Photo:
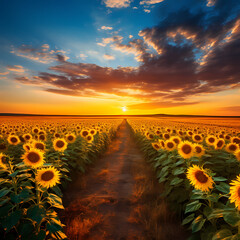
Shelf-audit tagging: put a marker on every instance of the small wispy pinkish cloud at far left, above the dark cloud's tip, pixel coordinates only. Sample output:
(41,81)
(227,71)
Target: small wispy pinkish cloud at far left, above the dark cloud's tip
(42,54)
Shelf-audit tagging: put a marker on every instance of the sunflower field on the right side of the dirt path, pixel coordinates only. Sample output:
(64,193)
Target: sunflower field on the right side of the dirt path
(199,167)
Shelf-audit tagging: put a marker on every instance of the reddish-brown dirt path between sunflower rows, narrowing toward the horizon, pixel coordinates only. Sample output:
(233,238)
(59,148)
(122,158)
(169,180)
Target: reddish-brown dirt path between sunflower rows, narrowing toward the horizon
(106,202)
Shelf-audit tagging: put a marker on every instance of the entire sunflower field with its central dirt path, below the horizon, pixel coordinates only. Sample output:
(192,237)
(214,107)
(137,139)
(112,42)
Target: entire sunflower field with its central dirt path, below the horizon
(114,178)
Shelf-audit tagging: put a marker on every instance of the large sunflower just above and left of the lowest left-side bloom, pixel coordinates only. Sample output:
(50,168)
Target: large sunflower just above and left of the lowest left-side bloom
(33,158)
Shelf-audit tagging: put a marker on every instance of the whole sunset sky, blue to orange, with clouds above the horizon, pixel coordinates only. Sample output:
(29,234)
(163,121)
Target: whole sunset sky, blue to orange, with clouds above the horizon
(120,56)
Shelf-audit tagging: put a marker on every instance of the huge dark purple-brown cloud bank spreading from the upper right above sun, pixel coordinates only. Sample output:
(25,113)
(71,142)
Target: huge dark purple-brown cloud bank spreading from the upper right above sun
(190,52)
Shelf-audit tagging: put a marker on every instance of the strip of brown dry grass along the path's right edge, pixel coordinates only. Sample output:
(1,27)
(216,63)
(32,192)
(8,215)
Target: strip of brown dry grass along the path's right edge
(151,209)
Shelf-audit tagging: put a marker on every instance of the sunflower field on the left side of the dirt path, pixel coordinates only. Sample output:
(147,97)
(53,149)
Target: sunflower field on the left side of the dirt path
(37,159)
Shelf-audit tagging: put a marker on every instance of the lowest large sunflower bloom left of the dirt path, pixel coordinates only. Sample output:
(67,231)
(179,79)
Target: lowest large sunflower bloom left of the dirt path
(48,177)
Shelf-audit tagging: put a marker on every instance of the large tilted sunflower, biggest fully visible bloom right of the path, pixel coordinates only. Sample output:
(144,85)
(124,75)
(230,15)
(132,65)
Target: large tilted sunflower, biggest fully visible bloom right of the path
(199,178)
